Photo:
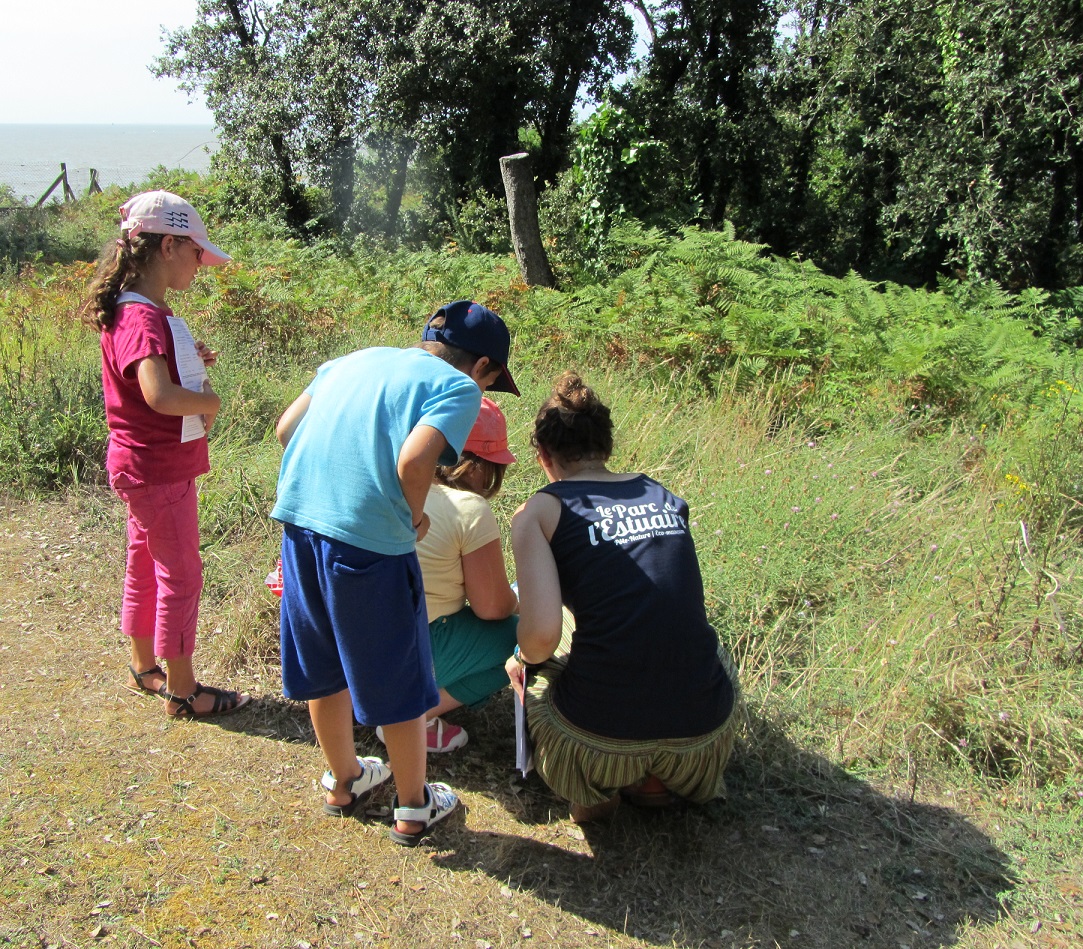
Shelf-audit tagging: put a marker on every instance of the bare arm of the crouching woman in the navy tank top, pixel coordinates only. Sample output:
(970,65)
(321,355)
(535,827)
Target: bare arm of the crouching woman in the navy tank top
(540,603)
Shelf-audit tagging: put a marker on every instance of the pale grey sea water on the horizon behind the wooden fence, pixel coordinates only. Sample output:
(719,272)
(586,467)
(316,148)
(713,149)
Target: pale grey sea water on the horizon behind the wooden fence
(31,157)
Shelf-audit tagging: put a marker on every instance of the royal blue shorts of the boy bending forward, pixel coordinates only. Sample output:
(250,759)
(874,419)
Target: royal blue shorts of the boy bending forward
(355,620)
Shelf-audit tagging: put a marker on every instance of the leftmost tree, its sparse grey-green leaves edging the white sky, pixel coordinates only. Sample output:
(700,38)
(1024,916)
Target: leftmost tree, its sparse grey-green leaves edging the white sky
(277,79)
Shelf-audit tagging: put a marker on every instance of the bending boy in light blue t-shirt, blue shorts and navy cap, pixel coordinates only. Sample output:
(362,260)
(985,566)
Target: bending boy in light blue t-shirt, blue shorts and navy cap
(362,444)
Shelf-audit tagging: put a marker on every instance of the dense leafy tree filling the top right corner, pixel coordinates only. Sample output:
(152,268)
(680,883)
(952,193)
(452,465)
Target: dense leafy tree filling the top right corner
(1006,161)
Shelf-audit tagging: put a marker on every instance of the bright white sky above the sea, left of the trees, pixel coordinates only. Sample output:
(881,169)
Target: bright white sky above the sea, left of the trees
(87,62)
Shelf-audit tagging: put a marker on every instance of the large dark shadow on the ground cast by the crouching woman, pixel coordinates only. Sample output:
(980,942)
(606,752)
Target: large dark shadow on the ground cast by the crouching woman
(802,854)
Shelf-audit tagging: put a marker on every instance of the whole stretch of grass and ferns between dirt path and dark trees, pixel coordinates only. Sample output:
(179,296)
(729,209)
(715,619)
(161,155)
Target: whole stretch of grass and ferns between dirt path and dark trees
(892,550)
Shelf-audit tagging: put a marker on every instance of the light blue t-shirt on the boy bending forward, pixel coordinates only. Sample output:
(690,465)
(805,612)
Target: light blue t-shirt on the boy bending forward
(340,473)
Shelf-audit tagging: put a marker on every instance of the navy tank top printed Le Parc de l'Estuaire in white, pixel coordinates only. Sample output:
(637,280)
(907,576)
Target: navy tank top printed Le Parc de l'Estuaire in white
(644,662)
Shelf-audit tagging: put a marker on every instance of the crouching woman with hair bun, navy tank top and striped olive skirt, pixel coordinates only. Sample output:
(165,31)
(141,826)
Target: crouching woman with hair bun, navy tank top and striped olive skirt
(642,705)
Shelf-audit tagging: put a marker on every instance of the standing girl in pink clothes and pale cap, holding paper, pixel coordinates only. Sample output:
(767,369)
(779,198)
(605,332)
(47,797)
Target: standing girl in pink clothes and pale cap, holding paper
(160,407)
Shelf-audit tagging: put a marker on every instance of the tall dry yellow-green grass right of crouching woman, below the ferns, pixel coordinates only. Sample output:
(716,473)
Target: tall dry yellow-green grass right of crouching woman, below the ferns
(884,591)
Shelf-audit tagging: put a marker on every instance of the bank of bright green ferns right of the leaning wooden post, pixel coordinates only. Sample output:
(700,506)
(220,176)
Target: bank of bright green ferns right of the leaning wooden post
(710,303)
